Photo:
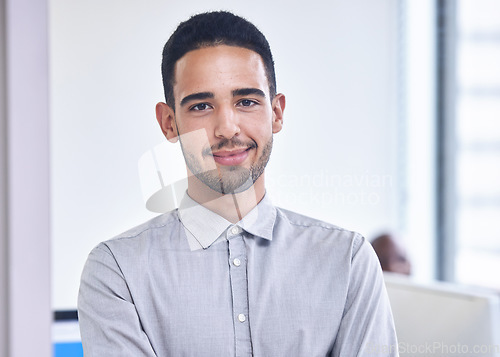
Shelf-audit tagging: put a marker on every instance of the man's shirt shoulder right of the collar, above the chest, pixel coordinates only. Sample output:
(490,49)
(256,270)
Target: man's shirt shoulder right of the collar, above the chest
(299,225)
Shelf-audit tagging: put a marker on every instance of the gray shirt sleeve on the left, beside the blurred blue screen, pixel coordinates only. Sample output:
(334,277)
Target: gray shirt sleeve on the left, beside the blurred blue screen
(109,323)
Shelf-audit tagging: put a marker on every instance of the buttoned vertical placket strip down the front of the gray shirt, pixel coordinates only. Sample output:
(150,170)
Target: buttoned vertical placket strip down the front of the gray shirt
(239,289)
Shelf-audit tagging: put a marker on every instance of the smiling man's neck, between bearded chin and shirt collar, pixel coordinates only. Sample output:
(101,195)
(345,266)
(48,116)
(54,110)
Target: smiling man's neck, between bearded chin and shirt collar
(231,206)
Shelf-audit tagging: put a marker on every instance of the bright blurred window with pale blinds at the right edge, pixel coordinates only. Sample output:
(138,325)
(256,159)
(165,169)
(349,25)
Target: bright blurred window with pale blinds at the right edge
(472,168)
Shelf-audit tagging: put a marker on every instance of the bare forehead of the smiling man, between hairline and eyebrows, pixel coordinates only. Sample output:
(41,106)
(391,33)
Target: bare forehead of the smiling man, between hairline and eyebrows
(219,67)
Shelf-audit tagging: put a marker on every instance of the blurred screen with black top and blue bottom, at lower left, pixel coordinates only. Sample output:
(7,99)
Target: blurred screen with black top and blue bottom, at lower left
(66,335)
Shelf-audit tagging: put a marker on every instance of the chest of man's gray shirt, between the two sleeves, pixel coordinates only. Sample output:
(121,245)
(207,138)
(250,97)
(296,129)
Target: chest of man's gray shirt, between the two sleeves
(240,299)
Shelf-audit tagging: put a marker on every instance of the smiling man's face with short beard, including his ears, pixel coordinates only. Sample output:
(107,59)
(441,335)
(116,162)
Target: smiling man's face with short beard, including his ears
(223,92)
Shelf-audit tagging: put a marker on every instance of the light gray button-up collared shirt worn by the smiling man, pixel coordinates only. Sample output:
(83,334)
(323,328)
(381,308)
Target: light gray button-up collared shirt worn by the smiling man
(190,283)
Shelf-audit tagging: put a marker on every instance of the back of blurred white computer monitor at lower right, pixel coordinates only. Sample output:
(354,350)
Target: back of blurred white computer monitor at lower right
(441,319)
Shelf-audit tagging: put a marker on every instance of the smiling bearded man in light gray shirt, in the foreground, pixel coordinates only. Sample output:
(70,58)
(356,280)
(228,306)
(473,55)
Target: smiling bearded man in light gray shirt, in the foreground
(228,273)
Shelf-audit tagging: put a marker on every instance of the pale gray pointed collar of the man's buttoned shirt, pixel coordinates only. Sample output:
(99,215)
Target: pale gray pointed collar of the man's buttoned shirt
(204,227)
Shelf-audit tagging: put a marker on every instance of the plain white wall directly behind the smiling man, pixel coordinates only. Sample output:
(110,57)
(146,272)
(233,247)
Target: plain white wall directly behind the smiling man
(335,61)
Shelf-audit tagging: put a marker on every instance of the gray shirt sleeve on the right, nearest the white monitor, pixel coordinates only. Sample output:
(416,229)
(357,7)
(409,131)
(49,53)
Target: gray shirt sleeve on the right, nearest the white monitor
(367,326)
